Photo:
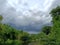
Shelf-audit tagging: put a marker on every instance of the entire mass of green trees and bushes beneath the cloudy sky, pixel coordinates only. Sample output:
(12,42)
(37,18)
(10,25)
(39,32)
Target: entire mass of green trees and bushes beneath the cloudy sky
(50,35)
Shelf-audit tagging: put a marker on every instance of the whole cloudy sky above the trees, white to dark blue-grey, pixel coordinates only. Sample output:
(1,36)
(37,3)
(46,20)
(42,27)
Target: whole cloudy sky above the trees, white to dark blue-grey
(29,15)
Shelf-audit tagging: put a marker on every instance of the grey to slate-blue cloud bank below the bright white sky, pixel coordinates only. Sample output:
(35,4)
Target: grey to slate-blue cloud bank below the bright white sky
(31,21)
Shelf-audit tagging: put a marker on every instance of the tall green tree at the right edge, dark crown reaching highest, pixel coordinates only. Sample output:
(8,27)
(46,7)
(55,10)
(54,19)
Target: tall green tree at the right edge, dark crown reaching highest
(55,33)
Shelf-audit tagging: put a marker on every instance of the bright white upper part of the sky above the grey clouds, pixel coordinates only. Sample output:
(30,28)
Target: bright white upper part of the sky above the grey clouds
(24,5)
